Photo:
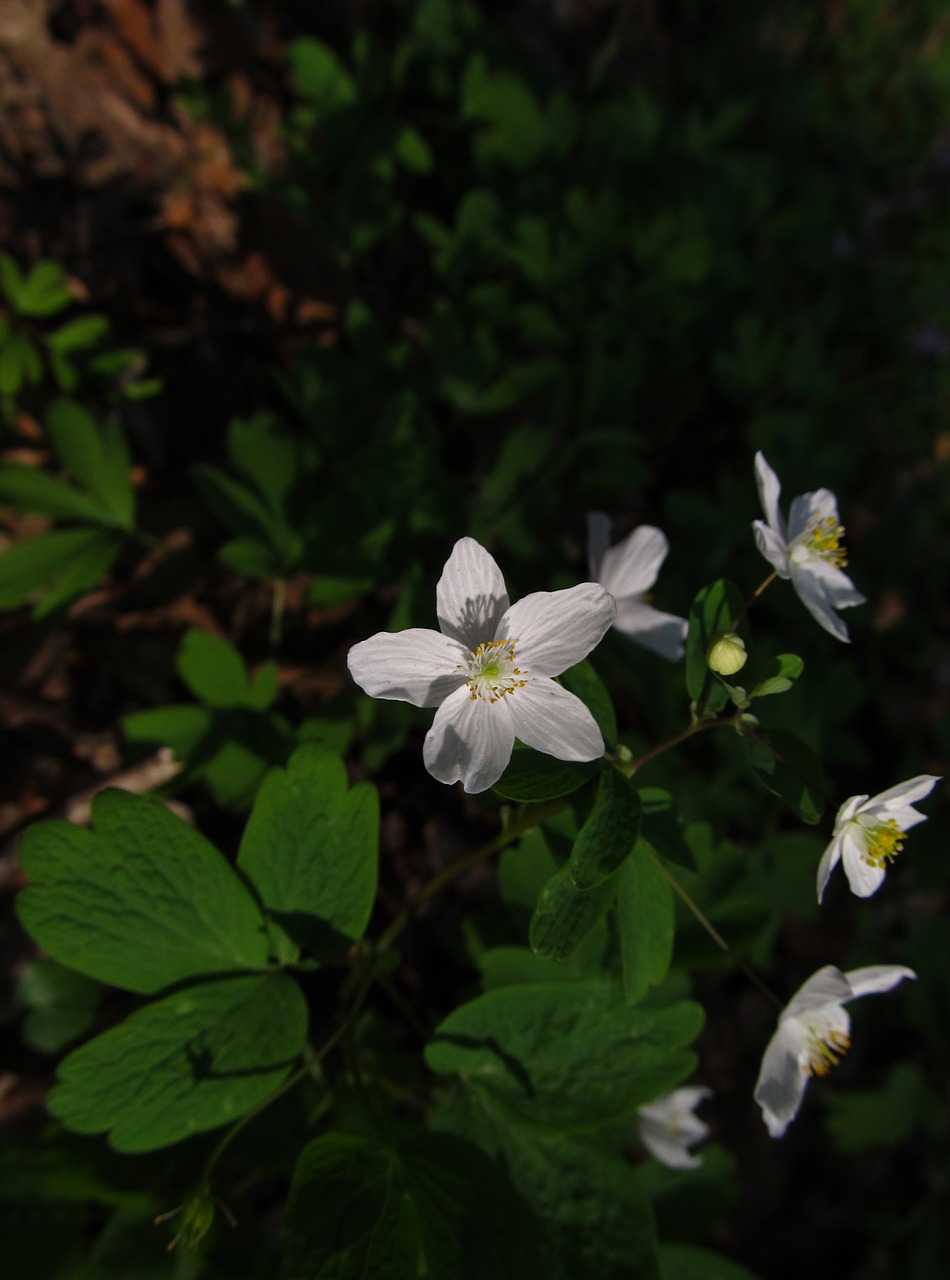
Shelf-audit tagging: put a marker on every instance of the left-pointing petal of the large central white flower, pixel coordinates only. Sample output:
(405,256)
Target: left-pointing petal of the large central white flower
(415,666)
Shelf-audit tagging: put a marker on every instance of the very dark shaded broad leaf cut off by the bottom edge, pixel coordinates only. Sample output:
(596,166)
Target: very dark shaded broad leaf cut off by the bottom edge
(358,1210)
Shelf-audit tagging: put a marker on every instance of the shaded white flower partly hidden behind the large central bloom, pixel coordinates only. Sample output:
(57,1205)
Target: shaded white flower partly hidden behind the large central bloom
(628,572)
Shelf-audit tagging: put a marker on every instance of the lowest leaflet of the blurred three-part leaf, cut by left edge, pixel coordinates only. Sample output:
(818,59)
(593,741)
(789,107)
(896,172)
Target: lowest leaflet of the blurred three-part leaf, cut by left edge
(71,560)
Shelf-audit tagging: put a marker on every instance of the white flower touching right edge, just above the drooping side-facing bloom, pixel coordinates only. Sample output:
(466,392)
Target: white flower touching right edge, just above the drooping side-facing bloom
(870,834)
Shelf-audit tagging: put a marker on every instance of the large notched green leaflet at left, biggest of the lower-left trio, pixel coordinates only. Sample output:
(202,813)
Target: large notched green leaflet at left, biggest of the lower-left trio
(143,903)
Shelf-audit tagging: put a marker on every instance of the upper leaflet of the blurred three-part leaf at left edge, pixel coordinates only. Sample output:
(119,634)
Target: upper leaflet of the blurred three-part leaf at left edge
(97,456)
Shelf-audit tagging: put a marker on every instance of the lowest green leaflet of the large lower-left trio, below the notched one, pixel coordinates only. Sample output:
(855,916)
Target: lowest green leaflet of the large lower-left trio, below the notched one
(193,1062)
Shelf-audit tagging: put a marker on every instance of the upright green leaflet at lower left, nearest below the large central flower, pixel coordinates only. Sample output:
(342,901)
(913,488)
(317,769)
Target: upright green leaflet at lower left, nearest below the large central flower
(310,849)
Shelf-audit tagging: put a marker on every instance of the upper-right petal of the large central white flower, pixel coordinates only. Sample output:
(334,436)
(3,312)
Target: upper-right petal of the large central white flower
(555,630)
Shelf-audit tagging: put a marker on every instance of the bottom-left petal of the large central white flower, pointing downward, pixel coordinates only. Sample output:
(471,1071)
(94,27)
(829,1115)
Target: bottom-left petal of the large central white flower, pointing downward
(471,740)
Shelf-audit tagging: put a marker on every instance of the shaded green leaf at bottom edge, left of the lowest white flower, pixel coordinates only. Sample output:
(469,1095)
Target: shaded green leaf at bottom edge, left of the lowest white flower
(587,1199)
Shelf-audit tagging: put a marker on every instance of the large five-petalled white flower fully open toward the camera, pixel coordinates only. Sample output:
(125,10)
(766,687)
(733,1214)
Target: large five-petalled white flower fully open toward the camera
(490,670)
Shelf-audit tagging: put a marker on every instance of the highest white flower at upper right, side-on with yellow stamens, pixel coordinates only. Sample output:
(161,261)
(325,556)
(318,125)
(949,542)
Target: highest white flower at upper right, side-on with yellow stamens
(809,551)
